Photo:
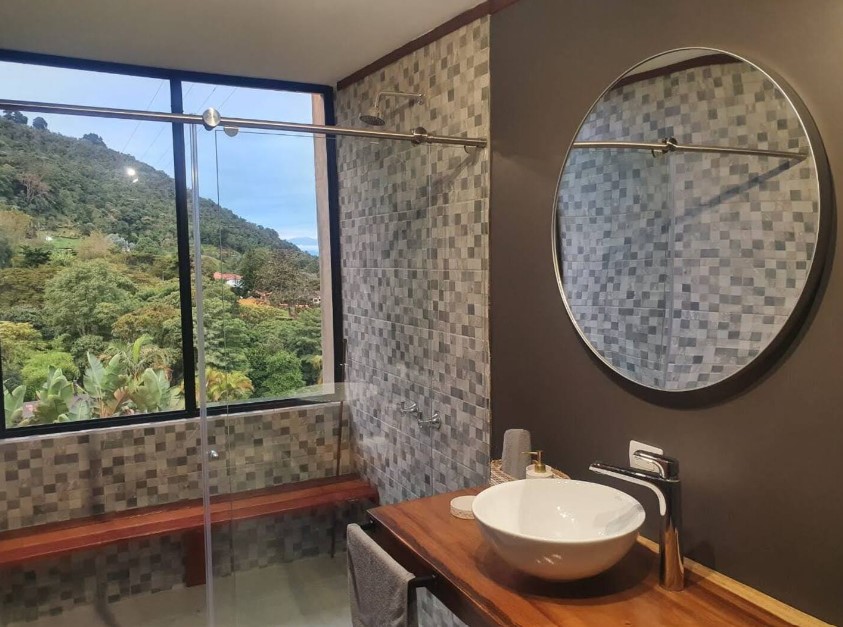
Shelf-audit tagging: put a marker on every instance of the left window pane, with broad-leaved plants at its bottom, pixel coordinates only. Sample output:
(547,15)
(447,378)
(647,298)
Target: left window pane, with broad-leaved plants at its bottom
(89,287)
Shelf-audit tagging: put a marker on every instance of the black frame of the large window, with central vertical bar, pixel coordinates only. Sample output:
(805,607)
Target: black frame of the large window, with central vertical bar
(176,79)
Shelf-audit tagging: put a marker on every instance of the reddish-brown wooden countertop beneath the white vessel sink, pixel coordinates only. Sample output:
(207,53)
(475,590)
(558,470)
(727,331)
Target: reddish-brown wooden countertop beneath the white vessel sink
(482,590)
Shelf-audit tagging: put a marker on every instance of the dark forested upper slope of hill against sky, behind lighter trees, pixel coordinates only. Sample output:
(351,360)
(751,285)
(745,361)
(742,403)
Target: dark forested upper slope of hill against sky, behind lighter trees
(79,186)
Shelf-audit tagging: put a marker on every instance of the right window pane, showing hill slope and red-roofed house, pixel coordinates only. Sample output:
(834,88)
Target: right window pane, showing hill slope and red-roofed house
(263,289)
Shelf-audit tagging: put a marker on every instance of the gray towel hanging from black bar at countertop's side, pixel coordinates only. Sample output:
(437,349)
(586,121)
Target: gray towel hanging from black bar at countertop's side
(377,585)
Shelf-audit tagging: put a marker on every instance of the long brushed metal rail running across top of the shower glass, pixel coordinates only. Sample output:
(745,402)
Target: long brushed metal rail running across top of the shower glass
(419,136)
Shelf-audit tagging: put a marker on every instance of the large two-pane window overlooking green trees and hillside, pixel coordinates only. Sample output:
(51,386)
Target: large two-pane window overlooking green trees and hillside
(97,298)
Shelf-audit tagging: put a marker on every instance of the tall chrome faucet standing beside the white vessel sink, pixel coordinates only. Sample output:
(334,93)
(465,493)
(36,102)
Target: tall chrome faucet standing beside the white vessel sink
(664,481)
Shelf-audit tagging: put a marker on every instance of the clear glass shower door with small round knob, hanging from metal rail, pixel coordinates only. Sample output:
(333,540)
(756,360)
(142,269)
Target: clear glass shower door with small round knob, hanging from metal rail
(265,318)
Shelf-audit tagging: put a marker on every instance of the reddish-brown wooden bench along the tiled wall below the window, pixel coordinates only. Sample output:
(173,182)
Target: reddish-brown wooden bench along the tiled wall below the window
(22,546)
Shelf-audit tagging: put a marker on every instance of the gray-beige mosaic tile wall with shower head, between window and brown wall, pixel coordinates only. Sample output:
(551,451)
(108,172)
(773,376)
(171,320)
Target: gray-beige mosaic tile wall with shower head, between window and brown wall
(414,229)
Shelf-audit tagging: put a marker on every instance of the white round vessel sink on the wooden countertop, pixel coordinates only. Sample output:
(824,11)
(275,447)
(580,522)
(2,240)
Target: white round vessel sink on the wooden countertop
(557,529)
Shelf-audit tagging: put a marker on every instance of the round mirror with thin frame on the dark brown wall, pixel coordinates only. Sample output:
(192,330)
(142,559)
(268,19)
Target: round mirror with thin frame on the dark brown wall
(688,220)
